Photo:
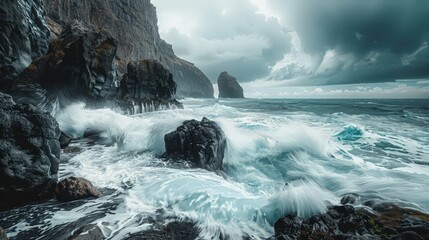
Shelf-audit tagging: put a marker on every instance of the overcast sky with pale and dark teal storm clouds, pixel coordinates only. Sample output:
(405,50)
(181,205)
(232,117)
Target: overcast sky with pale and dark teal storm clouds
(303,43)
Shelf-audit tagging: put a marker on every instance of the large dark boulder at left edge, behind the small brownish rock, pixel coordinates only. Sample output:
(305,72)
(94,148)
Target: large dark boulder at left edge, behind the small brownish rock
(29,153)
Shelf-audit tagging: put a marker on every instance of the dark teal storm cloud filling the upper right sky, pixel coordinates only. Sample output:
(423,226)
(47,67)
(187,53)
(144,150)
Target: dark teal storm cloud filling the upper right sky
(373,41)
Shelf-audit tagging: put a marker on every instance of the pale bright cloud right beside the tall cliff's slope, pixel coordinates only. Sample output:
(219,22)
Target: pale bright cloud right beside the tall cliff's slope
(224,36)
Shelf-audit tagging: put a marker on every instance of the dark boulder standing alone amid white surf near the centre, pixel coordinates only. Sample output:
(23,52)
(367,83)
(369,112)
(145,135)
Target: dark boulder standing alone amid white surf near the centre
(201,142)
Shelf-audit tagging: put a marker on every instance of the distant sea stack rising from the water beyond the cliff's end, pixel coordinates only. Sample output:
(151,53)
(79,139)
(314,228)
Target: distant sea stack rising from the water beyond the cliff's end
(229,87)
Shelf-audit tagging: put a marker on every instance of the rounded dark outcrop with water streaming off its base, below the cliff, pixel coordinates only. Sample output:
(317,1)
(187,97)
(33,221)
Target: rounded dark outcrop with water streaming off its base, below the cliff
(148,86)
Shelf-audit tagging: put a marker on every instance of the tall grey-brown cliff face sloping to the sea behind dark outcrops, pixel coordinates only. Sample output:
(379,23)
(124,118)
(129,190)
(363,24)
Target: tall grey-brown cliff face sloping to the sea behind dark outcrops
(134,25)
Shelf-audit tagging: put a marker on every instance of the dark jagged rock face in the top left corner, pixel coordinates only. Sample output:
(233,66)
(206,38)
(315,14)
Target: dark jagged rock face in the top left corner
(24,35)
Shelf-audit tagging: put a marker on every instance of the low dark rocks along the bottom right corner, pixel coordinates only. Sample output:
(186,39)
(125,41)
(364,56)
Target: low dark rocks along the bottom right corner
(346,222)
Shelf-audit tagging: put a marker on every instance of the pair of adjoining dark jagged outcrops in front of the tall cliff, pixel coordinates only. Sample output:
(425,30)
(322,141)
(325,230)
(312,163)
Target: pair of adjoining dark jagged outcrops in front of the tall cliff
(81,65)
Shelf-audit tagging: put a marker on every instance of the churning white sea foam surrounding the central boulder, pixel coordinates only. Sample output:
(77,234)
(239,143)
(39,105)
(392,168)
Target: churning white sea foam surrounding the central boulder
(276,164)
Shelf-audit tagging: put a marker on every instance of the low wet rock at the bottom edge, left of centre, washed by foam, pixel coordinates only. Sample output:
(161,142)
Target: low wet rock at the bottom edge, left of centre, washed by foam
(173,230)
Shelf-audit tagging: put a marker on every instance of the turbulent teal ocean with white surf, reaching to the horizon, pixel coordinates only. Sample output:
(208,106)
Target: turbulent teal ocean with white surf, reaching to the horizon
(283,157)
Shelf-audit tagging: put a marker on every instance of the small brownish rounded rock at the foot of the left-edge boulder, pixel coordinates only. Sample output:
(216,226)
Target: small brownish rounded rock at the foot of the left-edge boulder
(74,188)
